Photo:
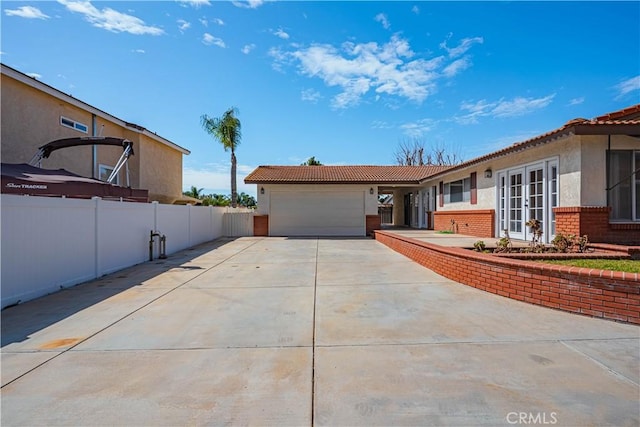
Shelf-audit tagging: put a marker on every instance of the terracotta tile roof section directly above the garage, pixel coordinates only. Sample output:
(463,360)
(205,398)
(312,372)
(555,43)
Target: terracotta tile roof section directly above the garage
(341,174)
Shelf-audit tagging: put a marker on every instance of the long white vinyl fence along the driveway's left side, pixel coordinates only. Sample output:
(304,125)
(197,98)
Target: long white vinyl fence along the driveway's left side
(52,243)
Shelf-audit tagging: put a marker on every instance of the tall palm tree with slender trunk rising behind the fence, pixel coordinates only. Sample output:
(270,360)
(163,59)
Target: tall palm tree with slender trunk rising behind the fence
(226,130)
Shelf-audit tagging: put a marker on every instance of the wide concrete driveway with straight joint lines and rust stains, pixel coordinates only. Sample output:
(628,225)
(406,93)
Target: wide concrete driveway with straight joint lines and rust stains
(275,331)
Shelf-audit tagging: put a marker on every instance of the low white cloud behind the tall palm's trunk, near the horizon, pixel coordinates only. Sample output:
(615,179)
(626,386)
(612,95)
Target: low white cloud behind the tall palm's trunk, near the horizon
(216,178)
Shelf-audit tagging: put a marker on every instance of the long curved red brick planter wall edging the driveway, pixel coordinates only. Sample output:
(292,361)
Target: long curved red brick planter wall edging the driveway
(596,293)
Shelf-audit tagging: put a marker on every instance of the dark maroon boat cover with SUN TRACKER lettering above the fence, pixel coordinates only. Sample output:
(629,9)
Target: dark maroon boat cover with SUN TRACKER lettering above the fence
(24,179)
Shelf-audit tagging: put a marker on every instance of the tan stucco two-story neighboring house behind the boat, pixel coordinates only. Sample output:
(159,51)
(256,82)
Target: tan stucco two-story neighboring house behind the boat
(34,114)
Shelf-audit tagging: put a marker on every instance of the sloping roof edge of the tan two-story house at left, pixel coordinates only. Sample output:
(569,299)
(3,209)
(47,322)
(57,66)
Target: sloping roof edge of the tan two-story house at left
(50,90)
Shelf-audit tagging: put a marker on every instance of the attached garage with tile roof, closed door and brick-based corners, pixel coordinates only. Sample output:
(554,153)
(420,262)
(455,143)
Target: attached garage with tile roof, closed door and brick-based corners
(326,200)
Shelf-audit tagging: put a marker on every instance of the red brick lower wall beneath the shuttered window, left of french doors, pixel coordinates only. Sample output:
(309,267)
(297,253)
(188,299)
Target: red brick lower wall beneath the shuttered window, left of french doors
(479,223)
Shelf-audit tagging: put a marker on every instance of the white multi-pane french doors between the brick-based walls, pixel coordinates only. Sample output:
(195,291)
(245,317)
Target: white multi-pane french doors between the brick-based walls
(529,192)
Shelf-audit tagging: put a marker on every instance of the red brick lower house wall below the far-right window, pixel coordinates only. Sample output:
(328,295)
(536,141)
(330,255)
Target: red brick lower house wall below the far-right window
(594,222)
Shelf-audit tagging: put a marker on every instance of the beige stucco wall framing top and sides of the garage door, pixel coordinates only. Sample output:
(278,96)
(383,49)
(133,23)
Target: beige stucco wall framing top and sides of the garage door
(370,200)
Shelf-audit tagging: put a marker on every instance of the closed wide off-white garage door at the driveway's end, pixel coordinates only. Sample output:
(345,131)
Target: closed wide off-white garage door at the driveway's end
(330,213)
